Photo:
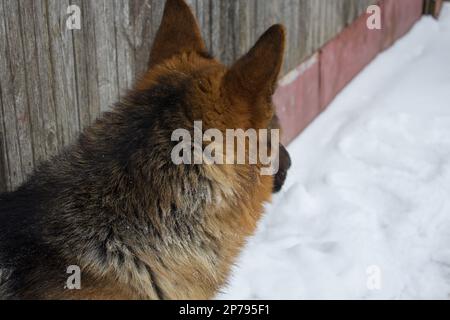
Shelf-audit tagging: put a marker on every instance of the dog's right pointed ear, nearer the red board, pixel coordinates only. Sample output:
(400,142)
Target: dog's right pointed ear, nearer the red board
(256,73)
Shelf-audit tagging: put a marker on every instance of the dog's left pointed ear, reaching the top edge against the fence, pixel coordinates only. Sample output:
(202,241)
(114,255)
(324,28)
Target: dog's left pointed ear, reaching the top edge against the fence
(178,33)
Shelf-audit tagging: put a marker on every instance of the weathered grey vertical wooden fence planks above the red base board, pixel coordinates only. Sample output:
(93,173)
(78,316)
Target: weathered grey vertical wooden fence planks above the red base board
(55,81)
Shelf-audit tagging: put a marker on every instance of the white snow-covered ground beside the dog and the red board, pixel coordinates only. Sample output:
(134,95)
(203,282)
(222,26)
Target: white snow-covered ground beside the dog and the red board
(365,213)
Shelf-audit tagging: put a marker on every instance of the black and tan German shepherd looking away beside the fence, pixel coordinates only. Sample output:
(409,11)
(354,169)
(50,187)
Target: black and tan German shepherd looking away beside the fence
(114,203)
